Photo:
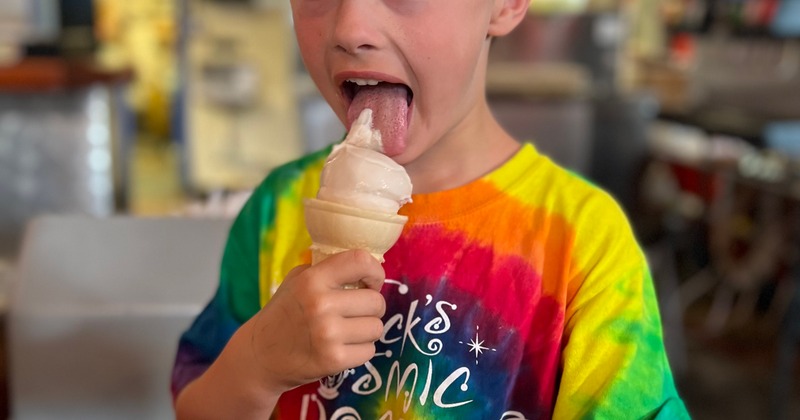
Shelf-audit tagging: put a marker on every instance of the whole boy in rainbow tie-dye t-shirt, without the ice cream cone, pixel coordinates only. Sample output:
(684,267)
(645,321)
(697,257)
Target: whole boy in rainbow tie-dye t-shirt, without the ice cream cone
(516,290)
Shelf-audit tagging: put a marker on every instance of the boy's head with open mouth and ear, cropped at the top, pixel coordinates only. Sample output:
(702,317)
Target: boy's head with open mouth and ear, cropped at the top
(429,57)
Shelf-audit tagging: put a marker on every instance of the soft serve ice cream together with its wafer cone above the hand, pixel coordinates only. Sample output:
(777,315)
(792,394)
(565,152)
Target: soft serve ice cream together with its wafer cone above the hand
(361,190)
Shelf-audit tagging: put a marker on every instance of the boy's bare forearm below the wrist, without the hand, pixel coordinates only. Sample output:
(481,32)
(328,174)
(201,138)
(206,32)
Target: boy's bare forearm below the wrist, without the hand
(232,387)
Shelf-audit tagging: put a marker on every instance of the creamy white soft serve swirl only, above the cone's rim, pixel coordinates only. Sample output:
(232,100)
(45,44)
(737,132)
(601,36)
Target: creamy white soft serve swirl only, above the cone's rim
(358,174)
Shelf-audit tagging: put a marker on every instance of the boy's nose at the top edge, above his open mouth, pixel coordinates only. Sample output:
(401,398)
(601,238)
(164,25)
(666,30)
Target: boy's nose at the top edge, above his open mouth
(354,32)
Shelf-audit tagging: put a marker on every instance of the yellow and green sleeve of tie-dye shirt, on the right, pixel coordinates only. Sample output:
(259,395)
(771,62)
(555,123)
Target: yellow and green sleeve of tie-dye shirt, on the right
(613,361)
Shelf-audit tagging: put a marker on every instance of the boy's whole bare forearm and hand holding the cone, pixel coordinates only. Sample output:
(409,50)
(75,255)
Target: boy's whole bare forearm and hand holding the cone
(311,328)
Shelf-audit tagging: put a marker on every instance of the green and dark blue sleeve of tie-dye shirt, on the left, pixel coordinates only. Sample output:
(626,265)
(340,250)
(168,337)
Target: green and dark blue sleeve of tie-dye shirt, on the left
(235,301)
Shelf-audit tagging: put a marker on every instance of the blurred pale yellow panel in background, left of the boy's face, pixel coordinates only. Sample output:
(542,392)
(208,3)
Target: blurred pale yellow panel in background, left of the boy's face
(231,147)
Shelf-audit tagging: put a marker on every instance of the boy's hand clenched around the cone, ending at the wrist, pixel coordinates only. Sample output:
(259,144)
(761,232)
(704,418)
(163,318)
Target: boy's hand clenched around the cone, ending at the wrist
(312,327)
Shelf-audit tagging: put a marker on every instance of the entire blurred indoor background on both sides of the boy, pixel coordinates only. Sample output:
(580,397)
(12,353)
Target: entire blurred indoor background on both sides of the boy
(131,132)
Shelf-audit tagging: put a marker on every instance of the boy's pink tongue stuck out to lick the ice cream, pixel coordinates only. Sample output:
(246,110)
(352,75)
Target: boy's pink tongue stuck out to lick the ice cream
(389,113)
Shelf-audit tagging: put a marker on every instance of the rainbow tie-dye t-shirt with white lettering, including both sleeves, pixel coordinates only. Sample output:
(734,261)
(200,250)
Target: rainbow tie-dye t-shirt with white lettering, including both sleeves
(520,295)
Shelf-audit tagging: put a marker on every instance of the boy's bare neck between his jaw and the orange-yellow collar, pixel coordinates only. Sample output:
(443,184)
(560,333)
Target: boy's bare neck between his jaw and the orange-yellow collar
(467,153)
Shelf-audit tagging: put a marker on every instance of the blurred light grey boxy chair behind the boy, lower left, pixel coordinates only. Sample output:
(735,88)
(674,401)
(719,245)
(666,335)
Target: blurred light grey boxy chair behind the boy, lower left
(96,310)
